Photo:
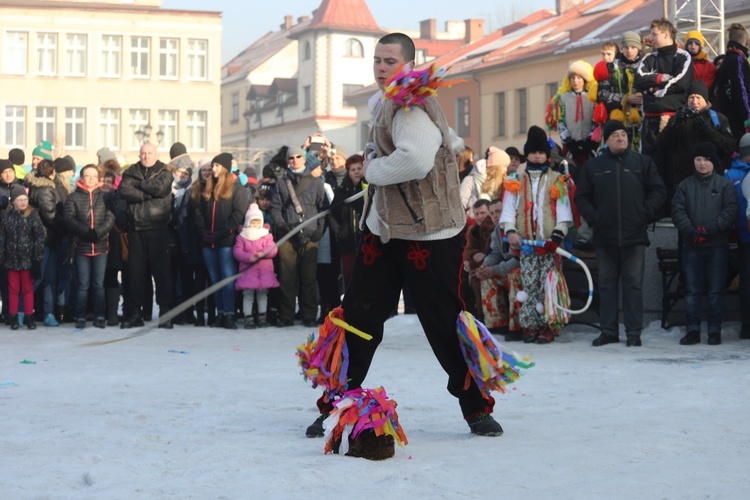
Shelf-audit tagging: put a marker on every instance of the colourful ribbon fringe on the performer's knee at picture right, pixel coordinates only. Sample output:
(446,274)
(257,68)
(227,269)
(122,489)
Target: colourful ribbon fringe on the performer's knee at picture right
(491,367)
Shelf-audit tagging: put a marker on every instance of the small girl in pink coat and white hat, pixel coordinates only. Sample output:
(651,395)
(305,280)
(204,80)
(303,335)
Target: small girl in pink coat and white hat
(254,249)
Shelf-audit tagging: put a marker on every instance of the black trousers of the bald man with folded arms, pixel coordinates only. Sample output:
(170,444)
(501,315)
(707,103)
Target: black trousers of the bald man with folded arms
(149,255)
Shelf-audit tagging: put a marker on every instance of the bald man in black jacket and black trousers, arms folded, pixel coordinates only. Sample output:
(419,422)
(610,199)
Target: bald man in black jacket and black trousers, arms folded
(147,189)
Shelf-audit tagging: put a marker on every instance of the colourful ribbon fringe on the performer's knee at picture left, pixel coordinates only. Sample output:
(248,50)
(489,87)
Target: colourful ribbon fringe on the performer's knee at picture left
(325,360)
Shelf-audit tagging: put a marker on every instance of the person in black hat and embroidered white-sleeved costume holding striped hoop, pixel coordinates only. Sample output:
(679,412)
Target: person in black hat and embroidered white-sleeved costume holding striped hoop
(537,206)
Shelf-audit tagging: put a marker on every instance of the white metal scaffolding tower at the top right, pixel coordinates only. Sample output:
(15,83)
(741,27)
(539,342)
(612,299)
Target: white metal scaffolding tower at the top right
(706,16)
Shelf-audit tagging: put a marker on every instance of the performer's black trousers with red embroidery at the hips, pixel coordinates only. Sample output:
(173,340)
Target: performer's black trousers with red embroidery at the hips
(431,270)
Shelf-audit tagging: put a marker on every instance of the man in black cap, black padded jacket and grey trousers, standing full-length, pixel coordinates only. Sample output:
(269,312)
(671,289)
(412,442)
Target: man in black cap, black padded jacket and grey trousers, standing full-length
(619,193)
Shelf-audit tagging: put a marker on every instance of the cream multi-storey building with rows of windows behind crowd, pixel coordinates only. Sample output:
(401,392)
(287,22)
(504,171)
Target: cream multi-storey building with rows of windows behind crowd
(111,101)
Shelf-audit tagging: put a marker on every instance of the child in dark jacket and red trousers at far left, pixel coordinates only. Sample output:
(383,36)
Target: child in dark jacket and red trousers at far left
(22,239)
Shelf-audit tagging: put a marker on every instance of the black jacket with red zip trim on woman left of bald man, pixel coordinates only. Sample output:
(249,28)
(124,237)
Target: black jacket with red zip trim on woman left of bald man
(85,210)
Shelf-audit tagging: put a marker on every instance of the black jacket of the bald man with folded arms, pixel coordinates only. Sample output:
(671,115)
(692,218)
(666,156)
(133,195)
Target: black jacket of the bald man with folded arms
(148,192)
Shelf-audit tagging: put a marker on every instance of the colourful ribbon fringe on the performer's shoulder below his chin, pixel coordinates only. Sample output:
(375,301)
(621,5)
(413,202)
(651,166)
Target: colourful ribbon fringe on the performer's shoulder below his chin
(410,87)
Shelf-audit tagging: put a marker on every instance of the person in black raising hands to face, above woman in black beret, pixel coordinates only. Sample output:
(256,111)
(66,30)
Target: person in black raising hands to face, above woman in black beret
(693,123)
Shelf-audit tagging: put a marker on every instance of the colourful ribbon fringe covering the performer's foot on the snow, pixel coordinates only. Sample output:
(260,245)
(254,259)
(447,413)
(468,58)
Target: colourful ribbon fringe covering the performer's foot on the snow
(360,410)
